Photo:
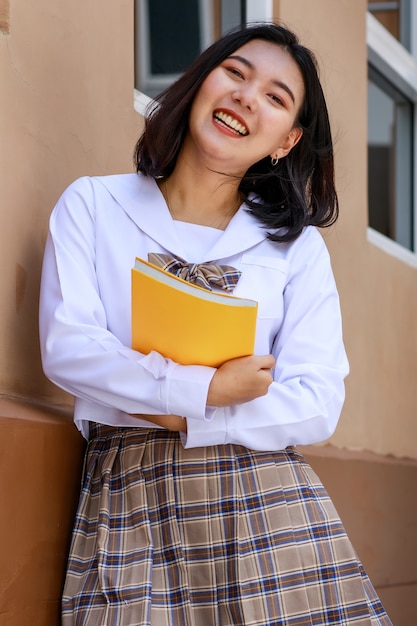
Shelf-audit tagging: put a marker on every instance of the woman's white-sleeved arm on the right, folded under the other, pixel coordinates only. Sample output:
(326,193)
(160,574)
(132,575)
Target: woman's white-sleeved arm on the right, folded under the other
(304,401)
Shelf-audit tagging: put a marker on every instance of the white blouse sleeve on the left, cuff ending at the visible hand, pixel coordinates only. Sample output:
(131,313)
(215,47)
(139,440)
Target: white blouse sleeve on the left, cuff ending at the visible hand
(85,317)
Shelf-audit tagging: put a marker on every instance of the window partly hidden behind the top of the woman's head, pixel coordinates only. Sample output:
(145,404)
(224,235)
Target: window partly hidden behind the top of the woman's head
(169,35)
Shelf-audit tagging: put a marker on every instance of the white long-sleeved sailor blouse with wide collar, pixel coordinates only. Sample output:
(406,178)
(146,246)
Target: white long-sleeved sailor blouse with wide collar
(97,229)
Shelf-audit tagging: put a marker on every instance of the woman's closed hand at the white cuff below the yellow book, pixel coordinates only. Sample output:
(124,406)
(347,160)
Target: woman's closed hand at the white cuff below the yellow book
(241,380)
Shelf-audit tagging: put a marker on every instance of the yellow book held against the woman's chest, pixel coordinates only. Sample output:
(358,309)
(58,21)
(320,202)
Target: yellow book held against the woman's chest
(186,323)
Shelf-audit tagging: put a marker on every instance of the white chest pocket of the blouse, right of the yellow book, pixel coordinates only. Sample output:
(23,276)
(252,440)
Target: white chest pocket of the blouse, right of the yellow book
(264,279)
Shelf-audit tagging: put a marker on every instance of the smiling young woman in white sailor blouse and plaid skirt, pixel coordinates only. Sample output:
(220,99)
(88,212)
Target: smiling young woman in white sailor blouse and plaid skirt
(196,508)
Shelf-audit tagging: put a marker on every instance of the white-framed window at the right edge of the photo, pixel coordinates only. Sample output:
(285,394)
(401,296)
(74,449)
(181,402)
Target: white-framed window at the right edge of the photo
(392,102)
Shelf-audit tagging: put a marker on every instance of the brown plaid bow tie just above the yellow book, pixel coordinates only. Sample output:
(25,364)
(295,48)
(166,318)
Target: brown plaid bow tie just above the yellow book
(201,274)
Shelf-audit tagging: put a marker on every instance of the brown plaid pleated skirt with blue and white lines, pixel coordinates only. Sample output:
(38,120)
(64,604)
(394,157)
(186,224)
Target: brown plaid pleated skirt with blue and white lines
(216,536)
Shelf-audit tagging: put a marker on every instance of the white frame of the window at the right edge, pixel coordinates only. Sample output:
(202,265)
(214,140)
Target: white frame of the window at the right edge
(392,60)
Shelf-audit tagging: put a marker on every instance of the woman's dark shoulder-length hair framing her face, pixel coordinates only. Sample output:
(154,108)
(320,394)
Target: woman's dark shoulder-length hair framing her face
(300,190)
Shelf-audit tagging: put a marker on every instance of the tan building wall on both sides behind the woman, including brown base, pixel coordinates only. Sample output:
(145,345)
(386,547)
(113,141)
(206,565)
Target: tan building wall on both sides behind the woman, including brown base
(66,110)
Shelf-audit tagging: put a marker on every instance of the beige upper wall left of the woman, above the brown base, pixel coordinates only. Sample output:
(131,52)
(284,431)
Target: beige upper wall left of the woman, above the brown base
(66,111)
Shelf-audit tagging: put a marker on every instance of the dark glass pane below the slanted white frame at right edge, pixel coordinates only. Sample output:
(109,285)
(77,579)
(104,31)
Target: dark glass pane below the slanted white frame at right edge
(390,142)
